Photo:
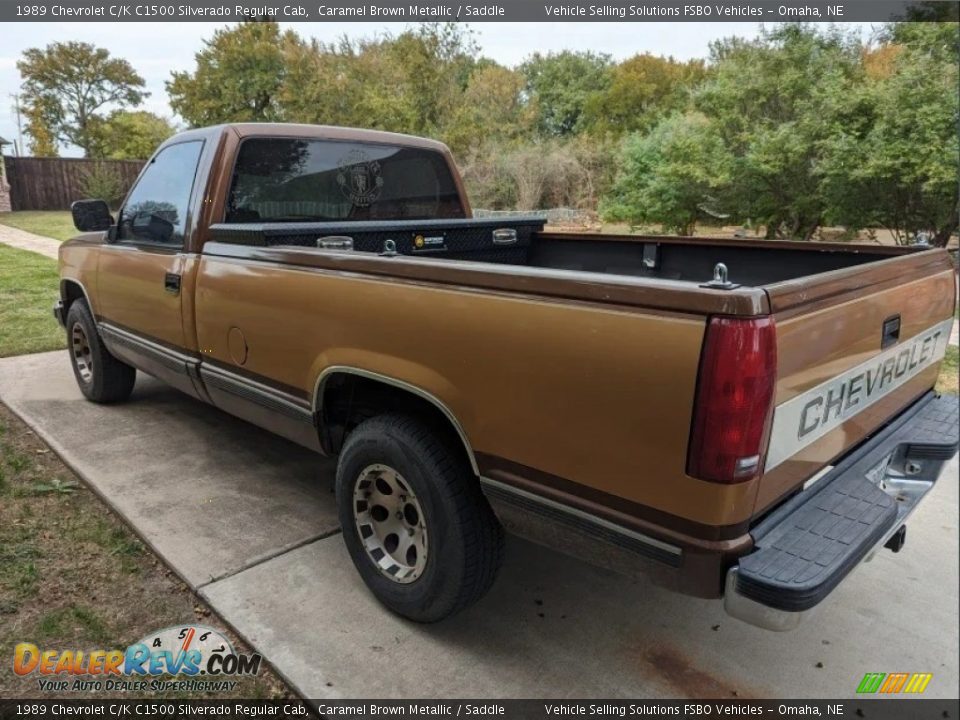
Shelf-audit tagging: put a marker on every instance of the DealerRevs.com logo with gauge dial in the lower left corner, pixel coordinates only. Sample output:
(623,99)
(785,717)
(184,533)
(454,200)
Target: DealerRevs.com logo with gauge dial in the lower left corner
(185,658)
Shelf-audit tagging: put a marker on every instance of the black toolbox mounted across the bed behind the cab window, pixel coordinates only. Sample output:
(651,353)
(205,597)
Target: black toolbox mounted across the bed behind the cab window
(504,240)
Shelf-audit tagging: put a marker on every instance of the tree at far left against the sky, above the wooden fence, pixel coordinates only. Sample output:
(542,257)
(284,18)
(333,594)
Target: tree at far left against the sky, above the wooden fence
(66,84)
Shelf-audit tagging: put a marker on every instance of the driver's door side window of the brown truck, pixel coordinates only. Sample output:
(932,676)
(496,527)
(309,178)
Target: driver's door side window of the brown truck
(156,211)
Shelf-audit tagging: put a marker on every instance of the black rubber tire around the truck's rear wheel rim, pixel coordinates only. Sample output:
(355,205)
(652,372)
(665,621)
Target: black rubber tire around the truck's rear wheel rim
(465,539)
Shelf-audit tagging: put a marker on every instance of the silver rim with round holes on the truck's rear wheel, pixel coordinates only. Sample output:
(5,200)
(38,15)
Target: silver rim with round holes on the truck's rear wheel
(390,523)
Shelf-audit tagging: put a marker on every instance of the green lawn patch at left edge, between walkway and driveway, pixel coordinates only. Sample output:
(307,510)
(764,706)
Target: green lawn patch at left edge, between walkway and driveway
(28,289)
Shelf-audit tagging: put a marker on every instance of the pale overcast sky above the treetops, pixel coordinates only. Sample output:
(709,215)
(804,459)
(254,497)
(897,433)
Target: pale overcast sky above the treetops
(157,49)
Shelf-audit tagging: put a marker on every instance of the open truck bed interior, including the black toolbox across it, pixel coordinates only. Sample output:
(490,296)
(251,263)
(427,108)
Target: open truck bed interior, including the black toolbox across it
(686,259)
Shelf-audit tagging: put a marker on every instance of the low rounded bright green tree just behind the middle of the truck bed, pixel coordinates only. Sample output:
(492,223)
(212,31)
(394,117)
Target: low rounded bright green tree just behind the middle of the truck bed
(669,175)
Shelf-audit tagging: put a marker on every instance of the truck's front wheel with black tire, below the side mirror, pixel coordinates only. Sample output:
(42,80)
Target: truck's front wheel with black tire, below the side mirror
(101,377)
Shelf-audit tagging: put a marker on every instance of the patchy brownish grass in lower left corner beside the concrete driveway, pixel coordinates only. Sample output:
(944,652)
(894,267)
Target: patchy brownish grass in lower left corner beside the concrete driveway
(73,575)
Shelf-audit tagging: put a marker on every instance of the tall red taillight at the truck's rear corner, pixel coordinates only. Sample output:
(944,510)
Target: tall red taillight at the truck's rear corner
(731,423)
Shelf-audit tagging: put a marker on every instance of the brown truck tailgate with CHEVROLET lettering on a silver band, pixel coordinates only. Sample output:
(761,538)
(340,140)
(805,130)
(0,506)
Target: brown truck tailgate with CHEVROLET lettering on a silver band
(854,348)
